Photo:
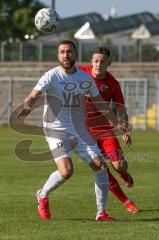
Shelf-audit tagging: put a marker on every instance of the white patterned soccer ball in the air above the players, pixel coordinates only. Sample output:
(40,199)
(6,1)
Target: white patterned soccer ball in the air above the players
(46,20)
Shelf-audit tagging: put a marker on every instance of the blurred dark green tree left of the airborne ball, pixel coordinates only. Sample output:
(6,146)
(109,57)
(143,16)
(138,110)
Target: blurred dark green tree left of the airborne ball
(17,18)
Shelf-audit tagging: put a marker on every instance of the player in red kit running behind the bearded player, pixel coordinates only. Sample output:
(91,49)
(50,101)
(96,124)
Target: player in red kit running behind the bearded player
(100,128)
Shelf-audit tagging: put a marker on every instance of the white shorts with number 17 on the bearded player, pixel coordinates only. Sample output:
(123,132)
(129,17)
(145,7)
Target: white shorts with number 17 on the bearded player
(85,147)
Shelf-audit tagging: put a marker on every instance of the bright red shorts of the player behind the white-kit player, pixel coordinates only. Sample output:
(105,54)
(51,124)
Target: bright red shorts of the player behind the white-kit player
(111,149)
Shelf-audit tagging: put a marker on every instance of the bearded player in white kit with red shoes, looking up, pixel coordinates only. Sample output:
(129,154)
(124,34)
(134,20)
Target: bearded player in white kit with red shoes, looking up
(65,87)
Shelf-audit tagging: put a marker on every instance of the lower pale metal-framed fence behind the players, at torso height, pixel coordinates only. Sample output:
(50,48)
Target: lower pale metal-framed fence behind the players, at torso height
(141,98)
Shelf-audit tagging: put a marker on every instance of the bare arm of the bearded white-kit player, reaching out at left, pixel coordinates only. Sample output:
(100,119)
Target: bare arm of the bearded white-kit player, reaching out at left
(29,102)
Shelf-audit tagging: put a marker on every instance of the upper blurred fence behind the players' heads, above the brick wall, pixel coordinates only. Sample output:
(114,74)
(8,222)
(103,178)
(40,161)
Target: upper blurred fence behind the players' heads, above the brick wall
(38,51)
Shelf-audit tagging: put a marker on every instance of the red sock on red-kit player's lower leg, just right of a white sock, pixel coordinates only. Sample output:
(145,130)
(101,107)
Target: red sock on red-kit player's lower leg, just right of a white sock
(116,189)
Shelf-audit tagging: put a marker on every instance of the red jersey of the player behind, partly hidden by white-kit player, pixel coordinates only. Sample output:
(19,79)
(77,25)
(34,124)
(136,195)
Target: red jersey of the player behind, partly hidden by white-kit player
(110,90)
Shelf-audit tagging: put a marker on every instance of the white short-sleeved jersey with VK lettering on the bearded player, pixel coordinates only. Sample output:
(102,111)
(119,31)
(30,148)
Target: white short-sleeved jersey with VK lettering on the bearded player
(65,95)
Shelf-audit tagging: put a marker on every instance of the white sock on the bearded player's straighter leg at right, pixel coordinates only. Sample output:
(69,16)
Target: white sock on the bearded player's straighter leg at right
(101,189)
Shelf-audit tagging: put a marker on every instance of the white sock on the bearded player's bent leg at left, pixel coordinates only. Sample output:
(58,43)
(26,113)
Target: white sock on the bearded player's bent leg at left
(55,180)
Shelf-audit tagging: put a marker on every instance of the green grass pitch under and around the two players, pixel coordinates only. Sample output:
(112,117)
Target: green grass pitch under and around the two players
(73,204)
